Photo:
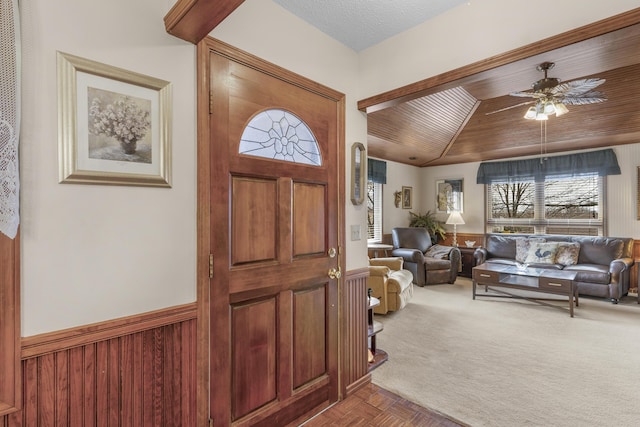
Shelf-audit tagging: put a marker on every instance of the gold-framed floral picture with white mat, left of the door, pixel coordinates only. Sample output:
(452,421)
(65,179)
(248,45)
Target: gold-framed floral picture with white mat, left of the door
(114,125)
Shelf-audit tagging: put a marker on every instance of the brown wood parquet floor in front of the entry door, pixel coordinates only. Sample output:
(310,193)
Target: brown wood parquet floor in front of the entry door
(374,406)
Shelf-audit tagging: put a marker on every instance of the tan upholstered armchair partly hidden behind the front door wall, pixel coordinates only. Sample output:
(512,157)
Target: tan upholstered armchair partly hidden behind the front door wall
(390,283)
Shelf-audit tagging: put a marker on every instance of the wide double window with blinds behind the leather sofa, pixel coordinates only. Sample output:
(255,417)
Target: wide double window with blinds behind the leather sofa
(573,205)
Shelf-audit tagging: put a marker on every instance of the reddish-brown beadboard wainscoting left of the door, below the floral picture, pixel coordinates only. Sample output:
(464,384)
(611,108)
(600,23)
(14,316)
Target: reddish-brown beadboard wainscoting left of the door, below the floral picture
(135,371)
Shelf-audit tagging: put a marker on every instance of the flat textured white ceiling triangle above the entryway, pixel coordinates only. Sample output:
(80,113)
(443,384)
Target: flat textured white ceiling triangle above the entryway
(360,24)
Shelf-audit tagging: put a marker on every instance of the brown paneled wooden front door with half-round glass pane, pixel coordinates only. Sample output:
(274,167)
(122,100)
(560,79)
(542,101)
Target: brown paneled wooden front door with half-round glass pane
(274,241)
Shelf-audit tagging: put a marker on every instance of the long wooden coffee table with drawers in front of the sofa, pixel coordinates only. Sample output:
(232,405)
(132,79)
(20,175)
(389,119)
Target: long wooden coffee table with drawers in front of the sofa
(542,280)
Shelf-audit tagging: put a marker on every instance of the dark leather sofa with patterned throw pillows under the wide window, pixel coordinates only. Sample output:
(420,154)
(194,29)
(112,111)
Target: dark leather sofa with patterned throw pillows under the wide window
(602,263)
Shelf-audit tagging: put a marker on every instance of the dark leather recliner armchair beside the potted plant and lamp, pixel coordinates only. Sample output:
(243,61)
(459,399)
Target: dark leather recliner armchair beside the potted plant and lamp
(430,264)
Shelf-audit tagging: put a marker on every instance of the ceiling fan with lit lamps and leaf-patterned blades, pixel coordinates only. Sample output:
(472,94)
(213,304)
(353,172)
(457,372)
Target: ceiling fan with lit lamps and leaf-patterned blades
(552,97)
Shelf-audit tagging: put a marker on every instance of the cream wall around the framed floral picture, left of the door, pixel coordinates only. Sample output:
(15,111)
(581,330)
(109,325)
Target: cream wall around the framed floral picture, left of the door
(93,252)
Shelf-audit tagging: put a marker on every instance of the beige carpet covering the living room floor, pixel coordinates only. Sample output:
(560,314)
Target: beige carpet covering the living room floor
(503,362)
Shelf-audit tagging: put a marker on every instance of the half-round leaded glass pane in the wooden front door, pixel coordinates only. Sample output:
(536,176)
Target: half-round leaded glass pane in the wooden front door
(280,135)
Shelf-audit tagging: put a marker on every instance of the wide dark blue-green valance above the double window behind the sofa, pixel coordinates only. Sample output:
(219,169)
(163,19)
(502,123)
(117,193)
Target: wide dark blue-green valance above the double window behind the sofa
(602,163)
